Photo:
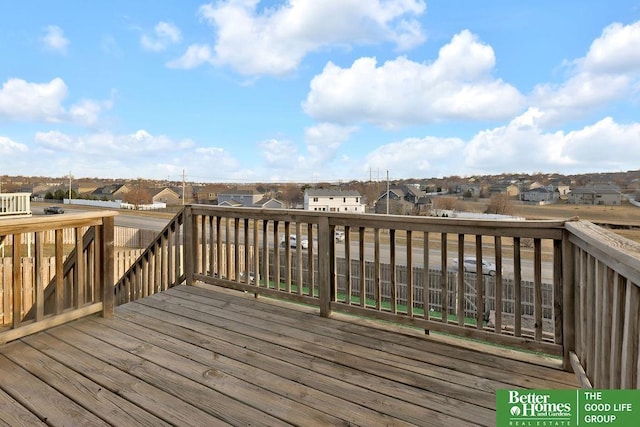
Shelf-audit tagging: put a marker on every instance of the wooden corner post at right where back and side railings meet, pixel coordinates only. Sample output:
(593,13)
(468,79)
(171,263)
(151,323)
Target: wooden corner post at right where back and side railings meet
(568,301)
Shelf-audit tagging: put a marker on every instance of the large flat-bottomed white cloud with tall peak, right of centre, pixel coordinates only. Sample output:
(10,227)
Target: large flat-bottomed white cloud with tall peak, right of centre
(457,86)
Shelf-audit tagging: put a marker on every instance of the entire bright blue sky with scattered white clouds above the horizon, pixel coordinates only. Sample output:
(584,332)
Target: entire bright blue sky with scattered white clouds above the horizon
(310,90)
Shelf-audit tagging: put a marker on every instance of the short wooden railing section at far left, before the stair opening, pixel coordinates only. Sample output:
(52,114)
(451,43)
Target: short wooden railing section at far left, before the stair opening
(77,289)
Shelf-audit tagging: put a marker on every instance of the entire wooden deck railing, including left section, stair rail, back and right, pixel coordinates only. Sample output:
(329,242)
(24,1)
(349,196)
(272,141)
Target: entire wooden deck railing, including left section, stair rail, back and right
(566,287)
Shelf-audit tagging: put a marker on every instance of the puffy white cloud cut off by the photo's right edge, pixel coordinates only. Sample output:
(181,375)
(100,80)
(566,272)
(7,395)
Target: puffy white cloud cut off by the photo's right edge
(609,72)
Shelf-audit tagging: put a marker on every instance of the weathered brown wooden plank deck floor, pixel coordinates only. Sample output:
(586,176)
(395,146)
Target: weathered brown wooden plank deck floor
(201,356)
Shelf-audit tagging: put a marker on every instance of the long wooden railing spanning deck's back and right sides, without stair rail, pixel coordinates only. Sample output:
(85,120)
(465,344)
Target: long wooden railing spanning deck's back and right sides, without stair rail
(565,288)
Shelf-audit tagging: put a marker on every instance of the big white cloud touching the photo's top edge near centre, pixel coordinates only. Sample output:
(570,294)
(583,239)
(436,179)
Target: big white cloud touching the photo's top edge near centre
(275,40)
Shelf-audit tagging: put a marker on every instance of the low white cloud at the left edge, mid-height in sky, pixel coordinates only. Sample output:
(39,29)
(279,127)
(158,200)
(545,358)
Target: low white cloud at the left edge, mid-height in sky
(42,102)
